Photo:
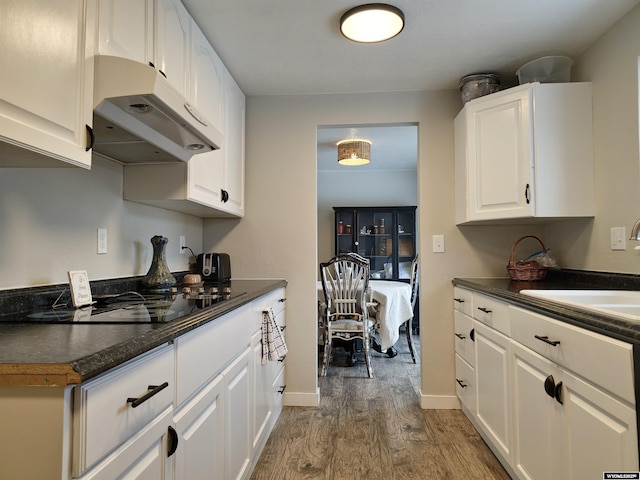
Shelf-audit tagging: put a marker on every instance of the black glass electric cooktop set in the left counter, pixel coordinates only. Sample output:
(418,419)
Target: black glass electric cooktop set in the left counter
(131,307)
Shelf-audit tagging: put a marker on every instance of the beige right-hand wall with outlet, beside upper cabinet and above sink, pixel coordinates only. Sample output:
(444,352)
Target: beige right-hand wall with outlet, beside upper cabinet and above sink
(612,66)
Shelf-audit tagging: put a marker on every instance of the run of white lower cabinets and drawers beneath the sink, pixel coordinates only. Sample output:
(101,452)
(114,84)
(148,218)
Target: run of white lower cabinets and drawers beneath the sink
(553,401)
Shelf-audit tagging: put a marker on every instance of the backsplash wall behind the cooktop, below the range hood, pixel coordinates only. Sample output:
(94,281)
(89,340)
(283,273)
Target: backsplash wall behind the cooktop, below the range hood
(49,220)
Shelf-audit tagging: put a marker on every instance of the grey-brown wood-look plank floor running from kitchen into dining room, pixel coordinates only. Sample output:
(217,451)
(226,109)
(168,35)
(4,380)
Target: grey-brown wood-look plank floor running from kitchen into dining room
(374,429)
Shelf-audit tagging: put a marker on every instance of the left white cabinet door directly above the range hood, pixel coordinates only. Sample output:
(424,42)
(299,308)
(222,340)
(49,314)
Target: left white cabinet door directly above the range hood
(126,29)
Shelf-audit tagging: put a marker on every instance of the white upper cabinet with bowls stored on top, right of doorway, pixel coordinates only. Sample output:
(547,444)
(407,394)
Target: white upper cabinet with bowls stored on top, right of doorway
(525,153)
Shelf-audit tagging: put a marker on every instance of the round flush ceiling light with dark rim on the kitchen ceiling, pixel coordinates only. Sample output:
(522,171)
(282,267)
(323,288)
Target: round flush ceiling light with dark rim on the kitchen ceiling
(371,23)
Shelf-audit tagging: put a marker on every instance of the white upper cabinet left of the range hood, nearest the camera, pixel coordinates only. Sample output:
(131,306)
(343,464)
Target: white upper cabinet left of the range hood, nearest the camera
(46,99)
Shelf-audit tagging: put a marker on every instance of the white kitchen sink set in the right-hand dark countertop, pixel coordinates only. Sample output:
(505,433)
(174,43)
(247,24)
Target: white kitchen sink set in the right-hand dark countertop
(621,303)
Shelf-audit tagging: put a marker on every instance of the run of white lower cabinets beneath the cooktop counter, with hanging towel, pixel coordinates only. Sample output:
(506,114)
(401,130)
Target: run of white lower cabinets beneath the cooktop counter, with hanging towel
(200,407)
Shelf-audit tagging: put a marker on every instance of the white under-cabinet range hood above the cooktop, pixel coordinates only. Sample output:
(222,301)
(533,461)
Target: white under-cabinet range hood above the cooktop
(138,117)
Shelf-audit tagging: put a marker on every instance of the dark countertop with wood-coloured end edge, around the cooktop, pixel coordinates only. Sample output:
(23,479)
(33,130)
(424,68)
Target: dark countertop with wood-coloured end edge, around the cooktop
(63,354)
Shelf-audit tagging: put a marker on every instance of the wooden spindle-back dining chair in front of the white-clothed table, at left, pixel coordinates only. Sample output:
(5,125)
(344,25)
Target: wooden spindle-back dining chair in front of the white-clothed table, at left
(345,284)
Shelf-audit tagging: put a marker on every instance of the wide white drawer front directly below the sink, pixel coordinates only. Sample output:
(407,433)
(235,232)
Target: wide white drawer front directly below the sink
(604,361)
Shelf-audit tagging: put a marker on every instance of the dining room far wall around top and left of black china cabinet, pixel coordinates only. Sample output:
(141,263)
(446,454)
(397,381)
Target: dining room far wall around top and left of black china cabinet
(353,188)
